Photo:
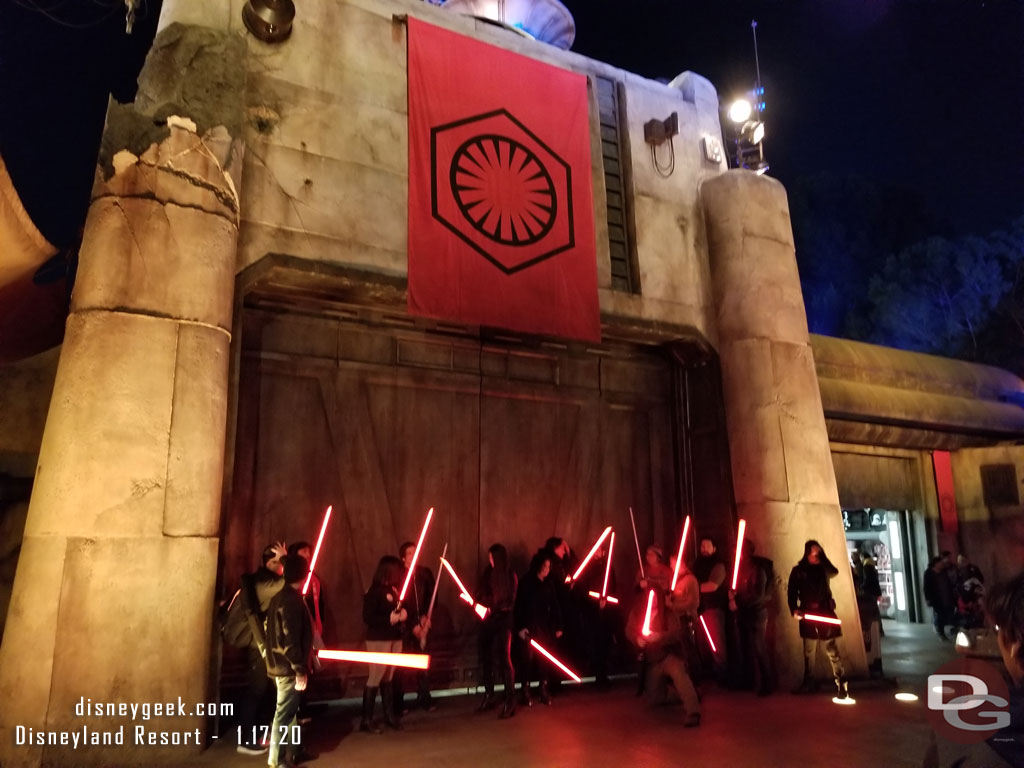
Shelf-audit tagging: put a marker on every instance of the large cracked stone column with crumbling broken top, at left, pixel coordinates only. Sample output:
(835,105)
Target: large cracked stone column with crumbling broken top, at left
(113,601)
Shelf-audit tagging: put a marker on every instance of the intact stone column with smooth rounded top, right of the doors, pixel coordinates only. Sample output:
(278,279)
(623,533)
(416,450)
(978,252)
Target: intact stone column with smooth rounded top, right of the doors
(782,465)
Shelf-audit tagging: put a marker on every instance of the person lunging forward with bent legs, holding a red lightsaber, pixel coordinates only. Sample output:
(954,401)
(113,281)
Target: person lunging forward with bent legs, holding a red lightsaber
(658,634)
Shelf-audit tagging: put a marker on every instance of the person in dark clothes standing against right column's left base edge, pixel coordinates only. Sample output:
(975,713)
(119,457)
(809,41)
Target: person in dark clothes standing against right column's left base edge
(750,606)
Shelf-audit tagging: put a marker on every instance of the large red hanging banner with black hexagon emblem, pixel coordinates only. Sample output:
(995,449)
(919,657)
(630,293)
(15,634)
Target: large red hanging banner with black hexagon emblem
(501,223)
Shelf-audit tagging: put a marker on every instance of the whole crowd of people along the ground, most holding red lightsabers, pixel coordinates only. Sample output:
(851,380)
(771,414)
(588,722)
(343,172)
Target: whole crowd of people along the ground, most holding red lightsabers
(684,624)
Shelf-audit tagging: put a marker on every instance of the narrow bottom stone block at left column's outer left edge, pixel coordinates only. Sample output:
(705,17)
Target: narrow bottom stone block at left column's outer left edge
(27,654)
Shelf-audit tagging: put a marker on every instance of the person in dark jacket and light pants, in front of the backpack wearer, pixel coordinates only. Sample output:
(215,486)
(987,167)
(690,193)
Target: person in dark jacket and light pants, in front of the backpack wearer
(289,647)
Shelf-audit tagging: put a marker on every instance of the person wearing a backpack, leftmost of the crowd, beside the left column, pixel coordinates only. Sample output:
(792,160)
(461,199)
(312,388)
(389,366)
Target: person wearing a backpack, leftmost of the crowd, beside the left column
(244,629)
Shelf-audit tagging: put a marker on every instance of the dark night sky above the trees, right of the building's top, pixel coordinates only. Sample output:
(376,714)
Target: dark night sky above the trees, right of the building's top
(925,95)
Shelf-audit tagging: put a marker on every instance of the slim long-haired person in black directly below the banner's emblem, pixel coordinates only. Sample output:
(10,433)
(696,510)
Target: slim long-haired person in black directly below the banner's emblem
(497,592)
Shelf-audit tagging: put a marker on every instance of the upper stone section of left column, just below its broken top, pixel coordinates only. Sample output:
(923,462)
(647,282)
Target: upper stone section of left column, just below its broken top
(161,260)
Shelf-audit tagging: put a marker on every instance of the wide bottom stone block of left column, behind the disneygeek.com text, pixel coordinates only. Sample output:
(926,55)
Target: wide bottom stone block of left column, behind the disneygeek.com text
(135,625)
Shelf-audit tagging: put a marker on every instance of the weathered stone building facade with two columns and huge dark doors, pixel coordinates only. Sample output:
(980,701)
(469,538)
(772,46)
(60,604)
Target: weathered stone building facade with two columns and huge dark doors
(239,356)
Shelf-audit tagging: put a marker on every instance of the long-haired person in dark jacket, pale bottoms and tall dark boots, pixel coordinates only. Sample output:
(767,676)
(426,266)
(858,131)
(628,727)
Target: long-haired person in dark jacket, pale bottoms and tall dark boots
(385,618)
